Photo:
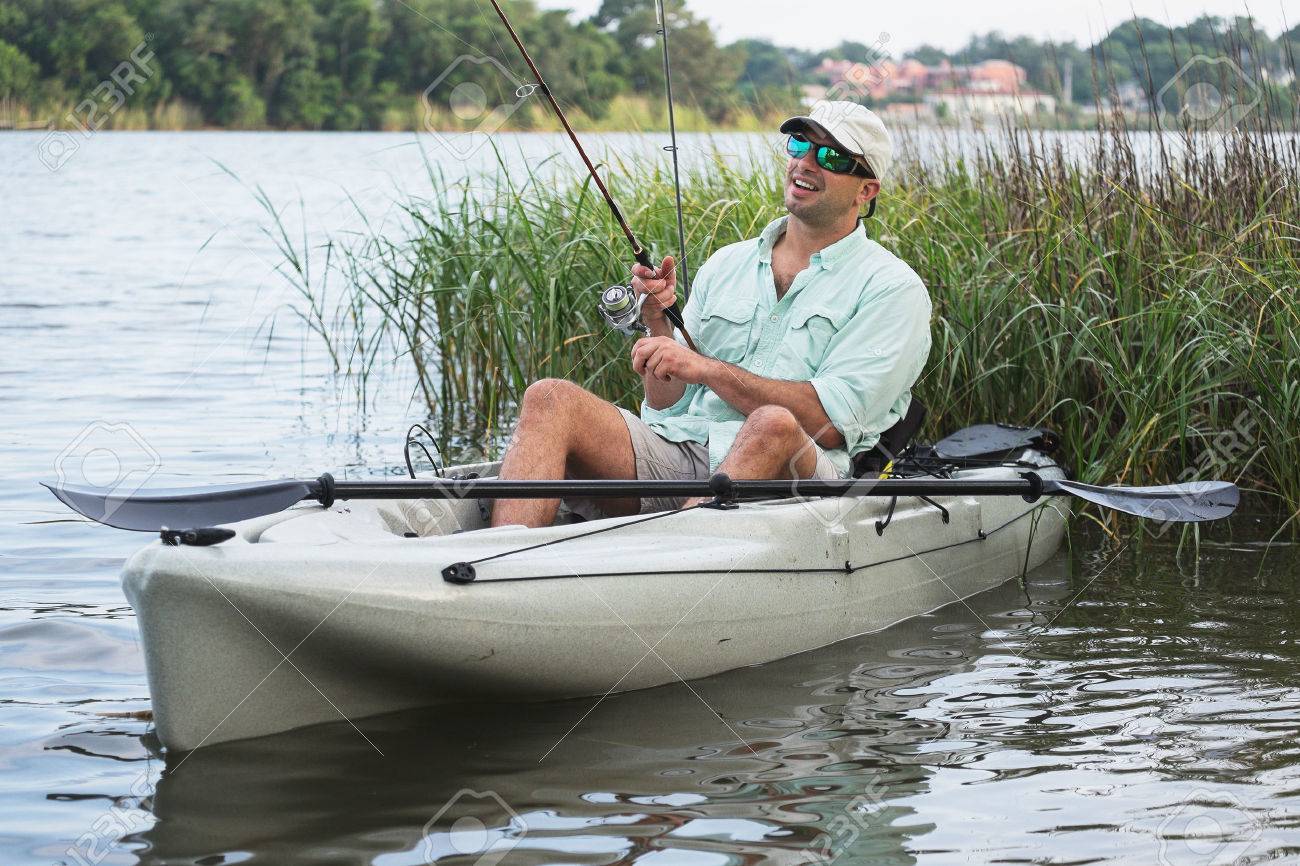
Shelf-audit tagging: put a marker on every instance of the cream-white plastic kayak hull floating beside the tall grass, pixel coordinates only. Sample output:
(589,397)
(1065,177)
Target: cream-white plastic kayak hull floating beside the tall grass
(319,616)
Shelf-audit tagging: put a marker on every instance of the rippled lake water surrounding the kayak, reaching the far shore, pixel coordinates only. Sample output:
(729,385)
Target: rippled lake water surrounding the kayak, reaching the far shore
(1129,703)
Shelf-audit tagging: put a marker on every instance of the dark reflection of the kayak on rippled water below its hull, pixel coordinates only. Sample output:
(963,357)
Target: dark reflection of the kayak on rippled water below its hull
(739,768)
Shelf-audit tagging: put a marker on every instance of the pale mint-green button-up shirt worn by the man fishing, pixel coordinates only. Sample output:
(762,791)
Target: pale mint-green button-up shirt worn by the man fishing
(855,323)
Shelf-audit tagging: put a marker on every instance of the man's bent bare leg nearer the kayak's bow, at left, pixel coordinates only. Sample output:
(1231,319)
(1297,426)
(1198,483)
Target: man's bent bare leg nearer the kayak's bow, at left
(565,432)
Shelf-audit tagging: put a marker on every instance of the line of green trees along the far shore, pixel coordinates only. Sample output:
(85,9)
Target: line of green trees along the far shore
(363,64)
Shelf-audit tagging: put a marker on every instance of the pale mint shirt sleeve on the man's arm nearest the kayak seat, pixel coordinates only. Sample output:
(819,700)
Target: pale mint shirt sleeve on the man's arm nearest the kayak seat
(866,376)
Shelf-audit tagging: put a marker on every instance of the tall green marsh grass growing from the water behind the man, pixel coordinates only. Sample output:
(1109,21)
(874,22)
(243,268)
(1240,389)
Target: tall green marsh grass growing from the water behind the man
(1147,309)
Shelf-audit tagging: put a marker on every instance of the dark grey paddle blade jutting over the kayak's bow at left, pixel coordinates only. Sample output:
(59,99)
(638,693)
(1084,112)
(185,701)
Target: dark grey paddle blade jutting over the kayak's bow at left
(183,509)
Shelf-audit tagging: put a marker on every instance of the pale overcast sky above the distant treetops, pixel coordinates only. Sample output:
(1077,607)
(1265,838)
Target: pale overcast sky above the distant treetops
(948,24)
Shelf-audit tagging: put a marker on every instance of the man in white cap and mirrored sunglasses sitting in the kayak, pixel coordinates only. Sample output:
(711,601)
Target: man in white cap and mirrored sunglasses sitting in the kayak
(811,340)
